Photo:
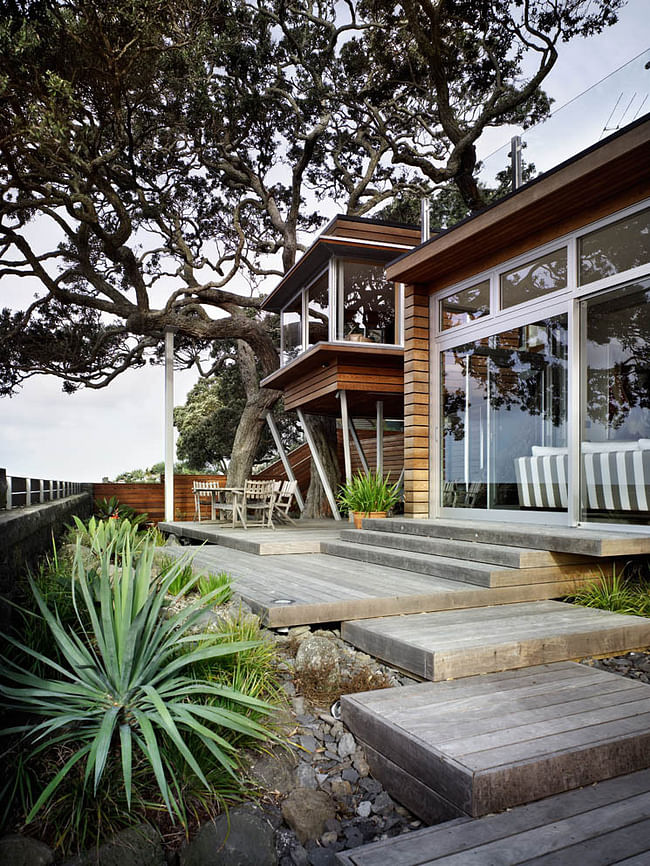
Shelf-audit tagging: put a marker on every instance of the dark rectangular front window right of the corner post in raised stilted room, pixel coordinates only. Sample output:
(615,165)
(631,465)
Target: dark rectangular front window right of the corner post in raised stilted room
(367,303)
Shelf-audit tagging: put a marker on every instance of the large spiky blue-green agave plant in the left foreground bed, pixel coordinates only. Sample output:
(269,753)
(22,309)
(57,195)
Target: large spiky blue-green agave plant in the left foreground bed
(126,685)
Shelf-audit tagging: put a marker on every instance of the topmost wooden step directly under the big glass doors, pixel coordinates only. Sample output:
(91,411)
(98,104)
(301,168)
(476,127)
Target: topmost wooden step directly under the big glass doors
(582,541)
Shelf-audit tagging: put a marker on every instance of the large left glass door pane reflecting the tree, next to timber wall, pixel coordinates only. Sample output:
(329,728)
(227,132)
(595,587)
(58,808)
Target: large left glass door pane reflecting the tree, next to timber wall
(504,419)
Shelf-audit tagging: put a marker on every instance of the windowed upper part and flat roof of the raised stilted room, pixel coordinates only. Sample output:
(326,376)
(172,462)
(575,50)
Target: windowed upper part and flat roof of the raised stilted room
(337,292)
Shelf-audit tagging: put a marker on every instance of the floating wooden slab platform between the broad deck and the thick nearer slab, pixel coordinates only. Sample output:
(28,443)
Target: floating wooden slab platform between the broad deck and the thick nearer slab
(452,644)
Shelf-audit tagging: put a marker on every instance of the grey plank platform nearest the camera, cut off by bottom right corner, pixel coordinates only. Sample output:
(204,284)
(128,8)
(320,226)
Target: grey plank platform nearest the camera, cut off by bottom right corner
(595,826)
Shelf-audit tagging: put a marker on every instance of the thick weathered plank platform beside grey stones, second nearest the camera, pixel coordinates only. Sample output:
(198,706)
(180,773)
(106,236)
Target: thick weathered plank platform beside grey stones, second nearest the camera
(485,744)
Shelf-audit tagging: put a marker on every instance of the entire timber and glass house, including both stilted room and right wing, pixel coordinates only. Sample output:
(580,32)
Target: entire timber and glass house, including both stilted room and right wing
(515,345)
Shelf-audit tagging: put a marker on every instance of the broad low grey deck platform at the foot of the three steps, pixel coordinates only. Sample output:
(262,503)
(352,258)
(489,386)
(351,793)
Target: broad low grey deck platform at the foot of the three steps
(287,590)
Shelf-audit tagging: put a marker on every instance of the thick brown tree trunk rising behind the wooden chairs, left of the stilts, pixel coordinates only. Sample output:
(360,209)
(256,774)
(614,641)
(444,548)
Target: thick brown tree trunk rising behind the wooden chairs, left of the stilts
(249,430)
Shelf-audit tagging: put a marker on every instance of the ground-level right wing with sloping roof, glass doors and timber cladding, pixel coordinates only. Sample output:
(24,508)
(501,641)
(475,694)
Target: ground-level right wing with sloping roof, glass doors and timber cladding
(527,350)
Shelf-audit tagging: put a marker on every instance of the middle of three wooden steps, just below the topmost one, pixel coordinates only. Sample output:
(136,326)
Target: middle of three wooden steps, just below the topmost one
(475,551)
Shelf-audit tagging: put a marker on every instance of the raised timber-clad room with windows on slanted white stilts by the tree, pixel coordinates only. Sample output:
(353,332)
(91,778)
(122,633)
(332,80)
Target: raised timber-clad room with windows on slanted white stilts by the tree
(342,331)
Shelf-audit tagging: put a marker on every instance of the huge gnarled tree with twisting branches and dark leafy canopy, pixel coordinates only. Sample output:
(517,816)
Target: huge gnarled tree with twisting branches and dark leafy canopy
(161,157)
